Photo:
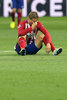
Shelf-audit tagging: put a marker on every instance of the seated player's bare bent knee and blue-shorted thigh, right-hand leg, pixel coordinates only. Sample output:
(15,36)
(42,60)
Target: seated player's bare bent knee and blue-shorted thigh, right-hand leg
(35,46)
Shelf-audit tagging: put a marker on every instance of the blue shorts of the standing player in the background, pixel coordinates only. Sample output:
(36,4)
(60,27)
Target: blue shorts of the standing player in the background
(18,4)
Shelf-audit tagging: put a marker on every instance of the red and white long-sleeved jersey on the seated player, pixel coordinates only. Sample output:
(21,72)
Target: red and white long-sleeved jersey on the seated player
(25,29)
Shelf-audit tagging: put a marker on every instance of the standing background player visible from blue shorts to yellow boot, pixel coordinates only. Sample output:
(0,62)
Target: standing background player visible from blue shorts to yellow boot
(17,5)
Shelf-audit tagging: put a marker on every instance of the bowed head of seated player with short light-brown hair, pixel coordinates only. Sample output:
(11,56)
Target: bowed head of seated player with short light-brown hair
(32,17)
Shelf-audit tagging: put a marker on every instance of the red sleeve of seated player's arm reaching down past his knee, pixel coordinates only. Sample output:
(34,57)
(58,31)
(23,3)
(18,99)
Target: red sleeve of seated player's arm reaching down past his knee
(44,31)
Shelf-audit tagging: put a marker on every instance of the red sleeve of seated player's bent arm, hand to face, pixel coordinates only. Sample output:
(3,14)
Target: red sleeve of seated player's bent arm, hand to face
(21,29)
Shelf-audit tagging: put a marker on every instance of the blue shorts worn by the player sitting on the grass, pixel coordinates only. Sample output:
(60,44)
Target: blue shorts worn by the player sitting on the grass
(30,49)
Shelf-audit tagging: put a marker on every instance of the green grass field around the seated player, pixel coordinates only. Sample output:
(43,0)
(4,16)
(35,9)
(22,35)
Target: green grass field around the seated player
(33,77)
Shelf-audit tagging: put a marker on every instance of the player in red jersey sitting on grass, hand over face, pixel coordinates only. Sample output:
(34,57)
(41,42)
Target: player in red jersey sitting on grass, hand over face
(28,43)
